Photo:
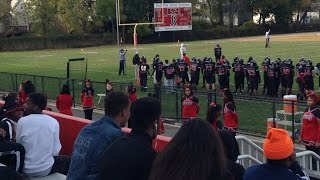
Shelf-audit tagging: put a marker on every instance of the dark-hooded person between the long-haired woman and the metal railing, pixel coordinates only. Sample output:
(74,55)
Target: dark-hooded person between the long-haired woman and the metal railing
(231,148)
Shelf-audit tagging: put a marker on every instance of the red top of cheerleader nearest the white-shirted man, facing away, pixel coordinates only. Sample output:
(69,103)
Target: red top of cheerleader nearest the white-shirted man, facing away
(64,104)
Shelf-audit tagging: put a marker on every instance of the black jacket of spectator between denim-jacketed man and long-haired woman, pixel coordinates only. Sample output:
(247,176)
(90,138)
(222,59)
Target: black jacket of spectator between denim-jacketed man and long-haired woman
(128,158)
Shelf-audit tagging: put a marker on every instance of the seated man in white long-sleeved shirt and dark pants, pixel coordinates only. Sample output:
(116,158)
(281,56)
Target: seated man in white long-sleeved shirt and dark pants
(39,134)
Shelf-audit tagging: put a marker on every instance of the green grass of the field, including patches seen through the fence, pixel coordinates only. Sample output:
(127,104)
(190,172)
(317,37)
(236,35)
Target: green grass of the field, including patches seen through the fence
(103,62)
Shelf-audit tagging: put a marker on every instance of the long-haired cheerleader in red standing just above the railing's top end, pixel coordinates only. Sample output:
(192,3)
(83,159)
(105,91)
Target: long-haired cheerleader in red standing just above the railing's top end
(229,112)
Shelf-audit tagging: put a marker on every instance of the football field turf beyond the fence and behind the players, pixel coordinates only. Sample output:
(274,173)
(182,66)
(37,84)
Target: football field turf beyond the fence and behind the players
(103,61)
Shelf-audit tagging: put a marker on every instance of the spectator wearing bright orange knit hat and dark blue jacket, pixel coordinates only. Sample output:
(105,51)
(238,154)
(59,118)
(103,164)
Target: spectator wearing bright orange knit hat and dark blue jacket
(281,163)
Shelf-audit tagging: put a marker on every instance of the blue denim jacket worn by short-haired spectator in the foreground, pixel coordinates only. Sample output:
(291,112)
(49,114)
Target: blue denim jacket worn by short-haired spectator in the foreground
(88,149)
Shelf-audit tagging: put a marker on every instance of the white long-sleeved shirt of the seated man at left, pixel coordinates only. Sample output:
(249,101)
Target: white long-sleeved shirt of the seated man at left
(39,134)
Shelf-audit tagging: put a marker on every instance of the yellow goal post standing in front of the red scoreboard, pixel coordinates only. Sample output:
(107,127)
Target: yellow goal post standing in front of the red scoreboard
(135,35)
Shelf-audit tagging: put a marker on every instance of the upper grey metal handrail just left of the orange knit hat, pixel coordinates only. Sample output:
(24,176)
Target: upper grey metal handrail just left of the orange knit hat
(251,149)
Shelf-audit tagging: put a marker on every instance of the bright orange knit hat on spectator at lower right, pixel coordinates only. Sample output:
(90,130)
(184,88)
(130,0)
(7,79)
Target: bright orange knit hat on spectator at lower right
(278,144)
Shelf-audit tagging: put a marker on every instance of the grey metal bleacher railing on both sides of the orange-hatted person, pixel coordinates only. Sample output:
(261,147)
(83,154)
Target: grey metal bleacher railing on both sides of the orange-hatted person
(252,154)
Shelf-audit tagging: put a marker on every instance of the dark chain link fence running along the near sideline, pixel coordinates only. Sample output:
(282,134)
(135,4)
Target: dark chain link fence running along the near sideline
(253,111)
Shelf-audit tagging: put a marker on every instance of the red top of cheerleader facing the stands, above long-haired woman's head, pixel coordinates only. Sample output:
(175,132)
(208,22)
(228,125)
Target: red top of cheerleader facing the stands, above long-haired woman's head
(190,107)
